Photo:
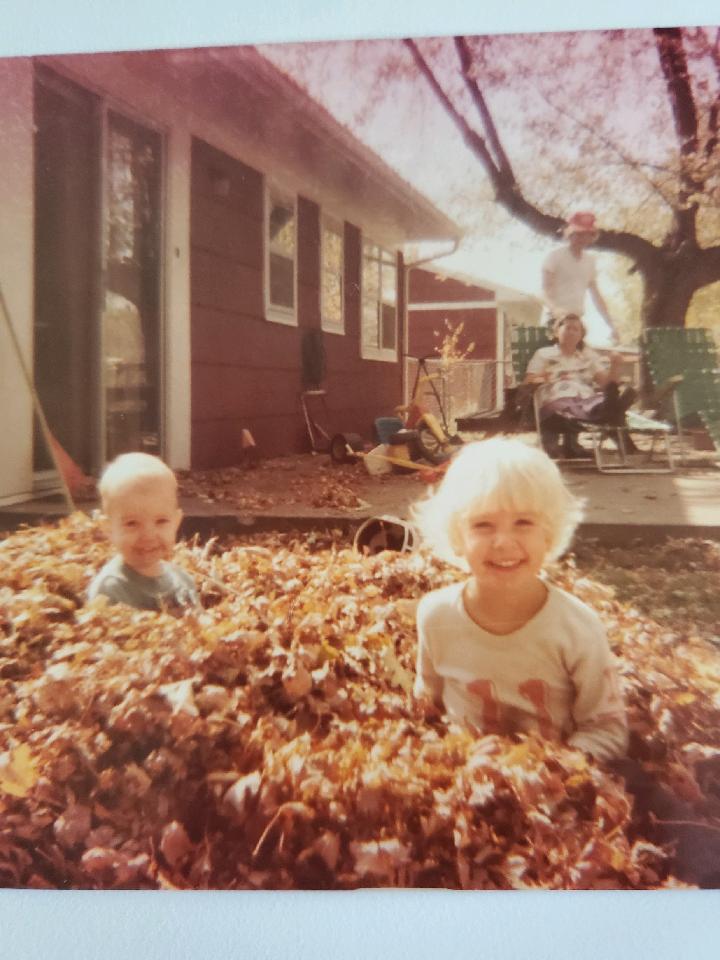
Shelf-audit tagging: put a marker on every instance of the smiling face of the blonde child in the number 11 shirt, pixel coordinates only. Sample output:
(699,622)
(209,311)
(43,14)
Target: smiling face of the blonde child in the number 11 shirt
(505,549)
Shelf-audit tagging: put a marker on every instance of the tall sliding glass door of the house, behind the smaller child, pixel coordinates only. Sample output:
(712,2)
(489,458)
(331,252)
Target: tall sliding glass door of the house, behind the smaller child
(97,346)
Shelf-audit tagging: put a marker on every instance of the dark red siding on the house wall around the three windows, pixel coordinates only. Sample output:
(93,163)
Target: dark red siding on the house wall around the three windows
(247,371)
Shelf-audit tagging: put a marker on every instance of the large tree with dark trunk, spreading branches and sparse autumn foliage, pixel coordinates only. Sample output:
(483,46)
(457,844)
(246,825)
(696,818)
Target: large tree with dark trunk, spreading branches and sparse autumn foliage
(630,119)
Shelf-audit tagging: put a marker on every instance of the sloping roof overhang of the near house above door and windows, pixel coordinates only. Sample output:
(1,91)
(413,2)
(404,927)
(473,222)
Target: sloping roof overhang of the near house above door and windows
(276,127)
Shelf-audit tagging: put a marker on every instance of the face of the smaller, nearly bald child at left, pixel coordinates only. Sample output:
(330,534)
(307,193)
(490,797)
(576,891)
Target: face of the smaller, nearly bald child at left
(142,524)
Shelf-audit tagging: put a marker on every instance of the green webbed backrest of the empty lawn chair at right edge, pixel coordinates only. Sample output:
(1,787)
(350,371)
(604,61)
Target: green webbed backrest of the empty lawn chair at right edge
(684,367)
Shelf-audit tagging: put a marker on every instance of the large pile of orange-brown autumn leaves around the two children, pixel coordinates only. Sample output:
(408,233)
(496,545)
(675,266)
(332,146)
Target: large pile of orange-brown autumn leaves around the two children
(269,739)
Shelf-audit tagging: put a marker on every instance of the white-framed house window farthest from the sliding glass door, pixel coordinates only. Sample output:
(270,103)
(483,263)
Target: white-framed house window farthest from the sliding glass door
(379,303)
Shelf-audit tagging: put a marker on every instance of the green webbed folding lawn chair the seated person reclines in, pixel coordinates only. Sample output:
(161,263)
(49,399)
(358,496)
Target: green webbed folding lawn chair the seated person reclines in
(526,340)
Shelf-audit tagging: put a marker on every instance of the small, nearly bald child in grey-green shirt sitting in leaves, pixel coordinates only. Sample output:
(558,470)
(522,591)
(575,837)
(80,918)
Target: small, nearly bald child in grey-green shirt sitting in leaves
(141,517)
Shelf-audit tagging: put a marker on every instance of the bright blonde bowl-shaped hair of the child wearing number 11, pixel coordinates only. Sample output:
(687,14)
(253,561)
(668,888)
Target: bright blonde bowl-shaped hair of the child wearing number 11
(498,474)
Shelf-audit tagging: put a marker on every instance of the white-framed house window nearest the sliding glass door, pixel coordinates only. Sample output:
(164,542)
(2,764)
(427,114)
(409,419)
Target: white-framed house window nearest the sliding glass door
(281,247)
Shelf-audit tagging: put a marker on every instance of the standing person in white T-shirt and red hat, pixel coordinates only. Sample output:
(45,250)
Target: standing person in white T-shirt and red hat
(569,272)
